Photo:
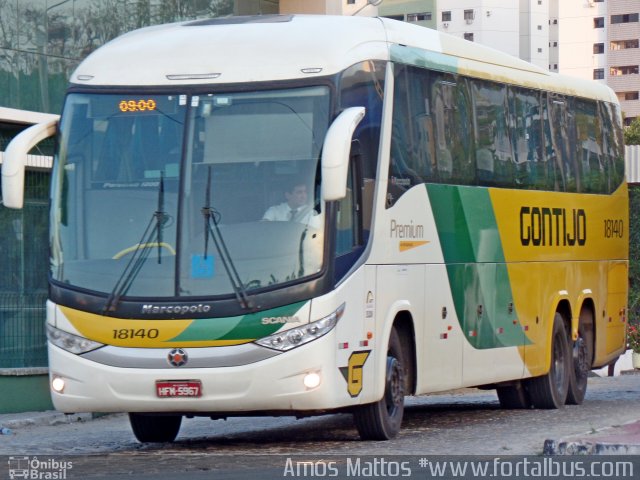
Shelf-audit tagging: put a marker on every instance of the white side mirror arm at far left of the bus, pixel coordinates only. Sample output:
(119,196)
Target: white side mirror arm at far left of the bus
(15,160)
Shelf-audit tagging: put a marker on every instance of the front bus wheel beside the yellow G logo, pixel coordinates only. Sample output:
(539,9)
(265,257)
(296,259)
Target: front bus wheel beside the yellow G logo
(381,420)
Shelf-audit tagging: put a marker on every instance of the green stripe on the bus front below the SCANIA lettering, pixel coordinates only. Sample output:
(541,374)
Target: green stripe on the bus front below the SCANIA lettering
(245,327)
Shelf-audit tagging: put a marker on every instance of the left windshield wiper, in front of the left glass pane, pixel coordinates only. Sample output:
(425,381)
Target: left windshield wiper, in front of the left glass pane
(141,252)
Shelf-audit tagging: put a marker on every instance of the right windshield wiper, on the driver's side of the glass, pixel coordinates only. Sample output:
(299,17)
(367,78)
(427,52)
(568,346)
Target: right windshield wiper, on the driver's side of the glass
(211,219)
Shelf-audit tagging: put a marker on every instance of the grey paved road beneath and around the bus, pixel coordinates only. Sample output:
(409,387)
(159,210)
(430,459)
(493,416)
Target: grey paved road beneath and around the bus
(465,422)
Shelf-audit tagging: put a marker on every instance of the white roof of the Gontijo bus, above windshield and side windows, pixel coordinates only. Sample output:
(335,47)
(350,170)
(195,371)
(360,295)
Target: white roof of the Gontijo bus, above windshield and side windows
(280,47)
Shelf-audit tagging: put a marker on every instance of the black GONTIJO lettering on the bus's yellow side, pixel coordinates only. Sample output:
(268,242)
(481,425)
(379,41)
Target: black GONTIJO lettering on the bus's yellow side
(553,227)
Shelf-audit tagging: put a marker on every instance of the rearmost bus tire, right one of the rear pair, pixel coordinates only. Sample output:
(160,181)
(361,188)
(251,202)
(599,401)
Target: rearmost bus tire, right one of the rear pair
(582,356)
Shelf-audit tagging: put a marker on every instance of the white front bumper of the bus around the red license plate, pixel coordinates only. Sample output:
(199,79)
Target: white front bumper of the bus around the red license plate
(272,384)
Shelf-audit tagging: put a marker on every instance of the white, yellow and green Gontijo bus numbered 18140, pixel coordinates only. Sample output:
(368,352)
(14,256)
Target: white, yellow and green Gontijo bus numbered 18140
(466,224)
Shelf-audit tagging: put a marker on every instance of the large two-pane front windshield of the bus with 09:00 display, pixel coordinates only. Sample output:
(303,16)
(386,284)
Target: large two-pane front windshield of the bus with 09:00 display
(188,195)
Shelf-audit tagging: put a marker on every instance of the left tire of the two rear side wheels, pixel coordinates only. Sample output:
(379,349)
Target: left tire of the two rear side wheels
(550,391)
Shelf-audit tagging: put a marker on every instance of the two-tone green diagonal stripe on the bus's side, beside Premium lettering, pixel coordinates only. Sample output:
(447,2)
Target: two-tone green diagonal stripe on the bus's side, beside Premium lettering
(478,275)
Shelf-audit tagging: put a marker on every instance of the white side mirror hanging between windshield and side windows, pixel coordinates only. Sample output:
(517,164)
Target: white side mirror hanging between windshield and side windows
(335,153)
